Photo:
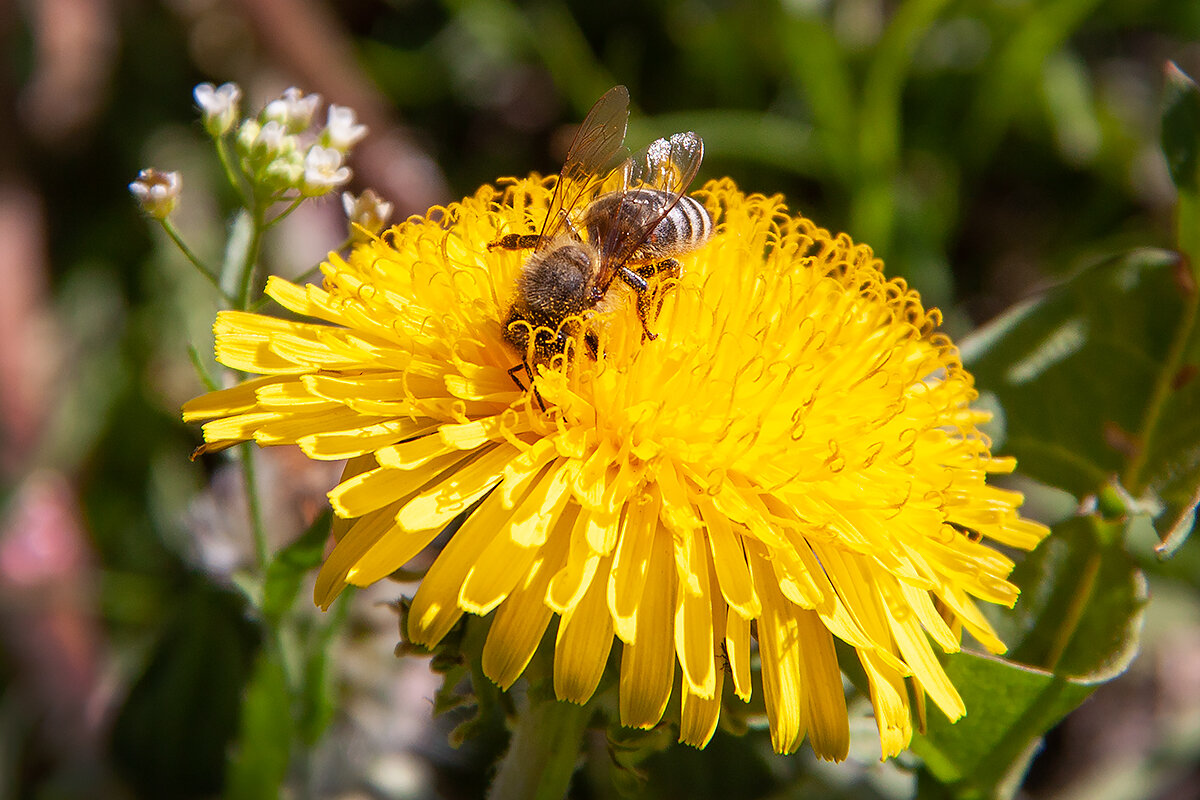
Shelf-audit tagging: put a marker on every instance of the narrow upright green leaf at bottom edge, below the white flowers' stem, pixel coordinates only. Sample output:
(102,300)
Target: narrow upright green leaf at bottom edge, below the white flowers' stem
(261,759)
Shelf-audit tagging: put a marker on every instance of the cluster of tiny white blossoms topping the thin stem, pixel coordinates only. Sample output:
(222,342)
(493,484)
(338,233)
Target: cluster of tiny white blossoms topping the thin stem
(279,151)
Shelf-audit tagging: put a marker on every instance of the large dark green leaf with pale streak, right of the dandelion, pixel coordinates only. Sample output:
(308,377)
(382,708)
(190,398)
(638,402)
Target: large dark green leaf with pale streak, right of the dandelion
(1097,380)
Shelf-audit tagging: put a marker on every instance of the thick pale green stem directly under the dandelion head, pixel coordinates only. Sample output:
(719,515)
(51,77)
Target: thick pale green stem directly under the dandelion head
(544,753)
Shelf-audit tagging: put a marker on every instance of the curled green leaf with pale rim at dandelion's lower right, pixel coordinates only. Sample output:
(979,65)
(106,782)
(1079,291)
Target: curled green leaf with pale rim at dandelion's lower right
(1078,622)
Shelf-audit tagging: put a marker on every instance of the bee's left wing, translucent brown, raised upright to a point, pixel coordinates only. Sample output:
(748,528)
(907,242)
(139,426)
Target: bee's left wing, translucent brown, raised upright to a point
(589,161)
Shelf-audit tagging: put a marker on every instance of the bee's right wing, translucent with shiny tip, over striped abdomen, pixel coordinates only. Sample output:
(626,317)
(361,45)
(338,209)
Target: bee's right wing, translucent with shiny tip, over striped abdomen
(665,165)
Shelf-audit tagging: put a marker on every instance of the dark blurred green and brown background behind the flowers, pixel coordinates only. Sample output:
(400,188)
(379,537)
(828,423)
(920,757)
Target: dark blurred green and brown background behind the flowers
(983,148)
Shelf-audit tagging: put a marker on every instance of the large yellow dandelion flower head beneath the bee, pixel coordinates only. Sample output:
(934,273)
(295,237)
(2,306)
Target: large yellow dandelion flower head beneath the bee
(795,460)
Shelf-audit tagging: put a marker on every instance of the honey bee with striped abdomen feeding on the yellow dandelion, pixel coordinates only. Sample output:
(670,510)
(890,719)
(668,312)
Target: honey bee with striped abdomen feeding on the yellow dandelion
(609,220)
